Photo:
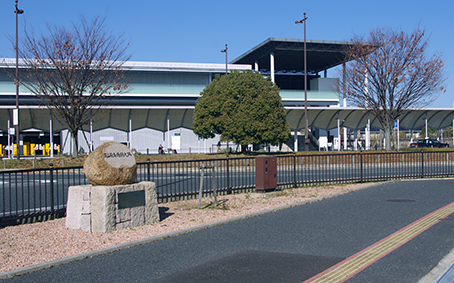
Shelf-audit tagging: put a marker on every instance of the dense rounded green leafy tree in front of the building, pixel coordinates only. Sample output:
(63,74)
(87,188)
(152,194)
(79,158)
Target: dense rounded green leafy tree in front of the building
(242,107)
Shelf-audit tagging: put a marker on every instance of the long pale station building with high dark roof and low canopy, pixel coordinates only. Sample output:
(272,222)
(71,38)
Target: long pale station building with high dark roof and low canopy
(158,108)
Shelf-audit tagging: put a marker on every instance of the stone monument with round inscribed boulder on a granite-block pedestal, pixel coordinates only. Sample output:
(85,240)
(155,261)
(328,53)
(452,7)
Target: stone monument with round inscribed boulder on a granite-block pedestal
(113,201)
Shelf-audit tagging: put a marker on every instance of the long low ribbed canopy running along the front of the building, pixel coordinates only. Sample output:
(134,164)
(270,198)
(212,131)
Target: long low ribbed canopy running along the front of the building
(181,117)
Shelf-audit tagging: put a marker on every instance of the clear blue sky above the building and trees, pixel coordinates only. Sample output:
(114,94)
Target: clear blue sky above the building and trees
(196,31)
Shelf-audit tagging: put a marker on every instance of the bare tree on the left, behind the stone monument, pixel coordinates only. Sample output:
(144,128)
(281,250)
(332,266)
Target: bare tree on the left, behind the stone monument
(75,71)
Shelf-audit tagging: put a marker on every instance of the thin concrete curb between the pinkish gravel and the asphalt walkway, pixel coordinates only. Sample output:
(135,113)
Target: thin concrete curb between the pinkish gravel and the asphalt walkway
(44,265)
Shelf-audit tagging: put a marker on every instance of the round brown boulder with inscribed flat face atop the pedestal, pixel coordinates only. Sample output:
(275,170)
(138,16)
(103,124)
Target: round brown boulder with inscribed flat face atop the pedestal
(111,164)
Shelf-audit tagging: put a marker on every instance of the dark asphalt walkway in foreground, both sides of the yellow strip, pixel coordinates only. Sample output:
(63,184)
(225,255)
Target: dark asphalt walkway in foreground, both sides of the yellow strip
(289,245)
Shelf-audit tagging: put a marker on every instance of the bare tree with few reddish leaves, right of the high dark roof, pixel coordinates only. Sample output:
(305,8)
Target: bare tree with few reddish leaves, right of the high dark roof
(390,72)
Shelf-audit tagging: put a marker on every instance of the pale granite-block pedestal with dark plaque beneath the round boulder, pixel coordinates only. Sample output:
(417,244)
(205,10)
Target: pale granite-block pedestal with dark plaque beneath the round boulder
(110,208)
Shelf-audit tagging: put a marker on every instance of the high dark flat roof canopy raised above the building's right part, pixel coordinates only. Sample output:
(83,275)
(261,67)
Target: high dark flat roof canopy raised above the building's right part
(288,54)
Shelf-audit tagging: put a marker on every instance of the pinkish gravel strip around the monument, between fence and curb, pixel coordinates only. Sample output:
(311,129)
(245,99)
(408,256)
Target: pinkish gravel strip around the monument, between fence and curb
(29,244)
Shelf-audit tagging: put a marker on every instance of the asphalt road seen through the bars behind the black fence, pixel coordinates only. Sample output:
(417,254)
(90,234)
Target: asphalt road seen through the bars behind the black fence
(30,193)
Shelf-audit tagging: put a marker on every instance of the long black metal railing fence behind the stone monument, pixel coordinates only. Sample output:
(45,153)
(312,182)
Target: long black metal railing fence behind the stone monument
(43,193)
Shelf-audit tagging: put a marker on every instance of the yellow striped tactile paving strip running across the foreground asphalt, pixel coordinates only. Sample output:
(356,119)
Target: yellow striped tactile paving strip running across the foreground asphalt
(358,262)
